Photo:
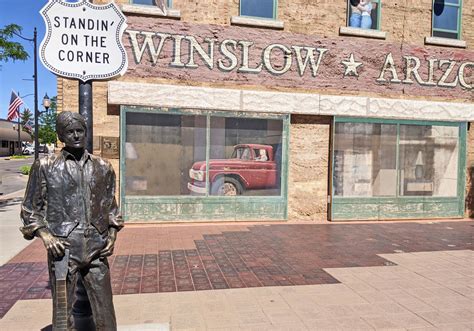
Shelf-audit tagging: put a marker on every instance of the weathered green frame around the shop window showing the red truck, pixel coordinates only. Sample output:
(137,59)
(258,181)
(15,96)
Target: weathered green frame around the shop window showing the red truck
(277,204)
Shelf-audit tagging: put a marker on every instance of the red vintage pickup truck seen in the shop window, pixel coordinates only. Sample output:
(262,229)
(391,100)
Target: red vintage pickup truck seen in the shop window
(251,166)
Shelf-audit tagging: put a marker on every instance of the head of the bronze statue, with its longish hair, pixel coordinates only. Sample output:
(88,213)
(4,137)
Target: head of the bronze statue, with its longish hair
(71,129)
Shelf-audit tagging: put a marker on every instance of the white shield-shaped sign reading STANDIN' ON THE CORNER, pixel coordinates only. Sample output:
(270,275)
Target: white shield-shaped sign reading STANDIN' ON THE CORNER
(83,40)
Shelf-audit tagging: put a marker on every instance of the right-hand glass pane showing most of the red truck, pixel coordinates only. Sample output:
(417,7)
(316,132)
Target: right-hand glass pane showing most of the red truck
(245,156)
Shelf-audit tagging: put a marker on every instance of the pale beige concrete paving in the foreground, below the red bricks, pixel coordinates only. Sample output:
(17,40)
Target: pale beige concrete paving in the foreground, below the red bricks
(425,291)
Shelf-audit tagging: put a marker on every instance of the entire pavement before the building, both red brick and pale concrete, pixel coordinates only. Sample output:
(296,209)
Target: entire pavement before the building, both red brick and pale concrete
(279,276)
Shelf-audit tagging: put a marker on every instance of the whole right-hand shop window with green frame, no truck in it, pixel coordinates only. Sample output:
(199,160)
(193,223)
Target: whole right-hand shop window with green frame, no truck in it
(392,169)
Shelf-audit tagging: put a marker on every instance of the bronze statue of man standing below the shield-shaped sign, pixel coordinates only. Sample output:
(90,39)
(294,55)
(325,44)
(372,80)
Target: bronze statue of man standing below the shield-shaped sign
(70,205)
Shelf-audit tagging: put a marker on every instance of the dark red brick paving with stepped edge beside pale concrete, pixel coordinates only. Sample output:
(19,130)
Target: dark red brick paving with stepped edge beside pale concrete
(204,258)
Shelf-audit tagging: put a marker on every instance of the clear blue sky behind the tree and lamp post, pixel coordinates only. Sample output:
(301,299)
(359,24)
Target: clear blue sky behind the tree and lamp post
(18,75)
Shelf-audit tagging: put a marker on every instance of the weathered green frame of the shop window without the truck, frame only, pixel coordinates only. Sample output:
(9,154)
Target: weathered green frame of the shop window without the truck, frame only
(346,204)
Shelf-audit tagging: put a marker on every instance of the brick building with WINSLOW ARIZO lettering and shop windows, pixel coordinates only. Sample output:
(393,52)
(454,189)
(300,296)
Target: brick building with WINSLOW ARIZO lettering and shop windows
(355,122)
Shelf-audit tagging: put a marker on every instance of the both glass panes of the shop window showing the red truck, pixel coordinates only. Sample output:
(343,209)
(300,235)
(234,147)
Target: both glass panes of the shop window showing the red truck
(202,154)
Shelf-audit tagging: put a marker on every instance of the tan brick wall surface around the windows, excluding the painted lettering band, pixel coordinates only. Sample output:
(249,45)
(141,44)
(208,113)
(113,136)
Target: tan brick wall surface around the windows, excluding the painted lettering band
(405,21)
